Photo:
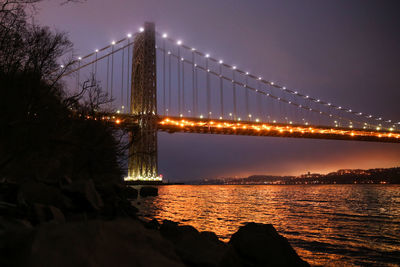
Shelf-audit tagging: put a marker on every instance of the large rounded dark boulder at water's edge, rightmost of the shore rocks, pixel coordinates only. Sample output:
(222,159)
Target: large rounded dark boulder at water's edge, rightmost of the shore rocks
(261,245)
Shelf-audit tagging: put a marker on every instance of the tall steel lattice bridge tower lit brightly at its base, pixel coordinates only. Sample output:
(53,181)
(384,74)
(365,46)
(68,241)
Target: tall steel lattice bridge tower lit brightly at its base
(142,164)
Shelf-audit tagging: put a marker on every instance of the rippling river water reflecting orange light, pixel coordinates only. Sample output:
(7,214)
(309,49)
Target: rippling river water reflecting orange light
(328,225)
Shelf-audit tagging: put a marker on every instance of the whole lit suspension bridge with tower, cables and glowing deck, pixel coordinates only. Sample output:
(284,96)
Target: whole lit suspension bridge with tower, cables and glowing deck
(156,83)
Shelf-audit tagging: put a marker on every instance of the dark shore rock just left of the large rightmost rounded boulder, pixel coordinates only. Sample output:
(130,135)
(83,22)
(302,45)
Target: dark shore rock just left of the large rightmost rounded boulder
(193,248)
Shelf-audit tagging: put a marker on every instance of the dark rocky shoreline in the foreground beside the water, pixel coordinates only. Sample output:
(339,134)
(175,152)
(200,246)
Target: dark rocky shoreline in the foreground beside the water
(80,224)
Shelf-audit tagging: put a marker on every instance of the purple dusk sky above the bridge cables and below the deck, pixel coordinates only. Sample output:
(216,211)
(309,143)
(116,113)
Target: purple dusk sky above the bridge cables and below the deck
(346,52)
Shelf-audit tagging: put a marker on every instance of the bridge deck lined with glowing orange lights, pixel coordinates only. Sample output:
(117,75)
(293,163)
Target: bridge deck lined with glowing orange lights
(229,127)
